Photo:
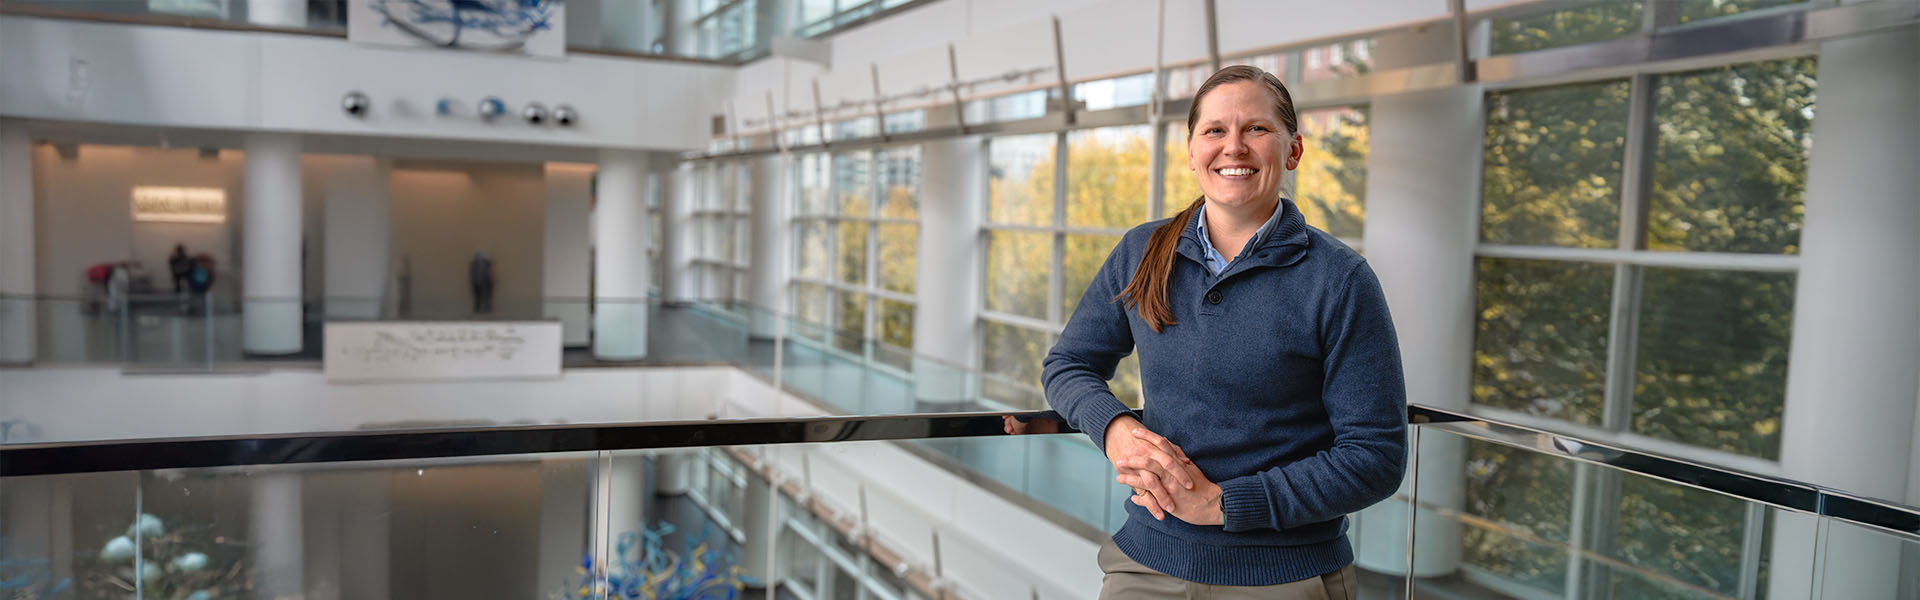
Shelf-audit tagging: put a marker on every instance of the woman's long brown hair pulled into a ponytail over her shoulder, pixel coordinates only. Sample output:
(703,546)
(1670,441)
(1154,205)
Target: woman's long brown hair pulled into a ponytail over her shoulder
(1147,293)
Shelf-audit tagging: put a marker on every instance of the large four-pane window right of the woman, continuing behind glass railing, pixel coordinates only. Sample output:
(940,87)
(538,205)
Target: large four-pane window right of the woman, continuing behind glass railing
(1579,324)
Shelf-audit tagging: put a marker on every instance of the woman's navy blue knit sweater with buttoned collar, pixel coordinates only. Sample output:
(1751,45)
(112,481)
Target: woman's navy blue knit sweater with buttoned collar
(1282,382)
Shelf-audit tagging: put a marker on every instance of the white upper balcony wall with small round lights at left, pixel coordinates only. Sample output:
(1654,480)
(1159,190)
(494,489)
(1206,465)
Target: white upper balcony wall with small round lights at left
(226,80)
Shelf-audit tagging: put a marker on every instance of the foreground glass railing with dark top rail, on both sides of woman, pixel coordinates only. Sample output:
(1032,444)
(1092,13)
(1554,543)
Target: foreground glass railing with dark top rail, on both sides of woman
(846,507)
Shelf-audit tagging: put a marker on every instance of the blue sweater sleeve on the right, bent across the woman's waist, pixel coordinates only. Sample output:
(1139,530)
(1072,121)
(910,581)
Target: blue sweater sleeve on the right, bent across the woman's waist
(1366,401)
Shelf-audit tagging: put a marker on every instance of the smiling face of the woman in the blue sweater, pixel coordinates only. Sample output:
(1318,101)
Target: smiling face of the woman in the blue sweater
(1239,147)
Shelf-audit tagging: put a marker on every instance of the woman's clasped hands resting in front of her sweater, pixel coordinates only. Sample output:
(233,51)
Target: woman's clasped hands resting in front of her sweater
(1159,472)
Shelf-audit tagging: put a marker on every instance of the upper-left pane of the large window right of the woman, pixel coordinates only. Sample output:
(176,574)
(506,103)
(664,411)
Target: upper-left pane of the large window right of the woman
(1552,168)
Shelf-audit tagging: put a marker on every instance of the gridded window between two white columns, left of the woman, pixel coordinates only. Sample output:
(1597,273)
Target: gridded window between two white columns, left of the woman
(855,209)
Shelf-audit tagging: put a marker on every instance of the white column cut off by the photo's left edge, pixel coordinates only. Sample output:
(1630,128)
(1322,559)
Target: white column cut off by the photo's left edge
(18,311)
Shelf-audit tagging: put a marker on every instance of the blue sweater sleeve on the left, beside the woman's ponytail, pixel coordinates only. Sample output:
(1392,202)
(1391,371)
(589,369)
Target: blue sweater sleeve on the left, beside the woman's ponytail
(1090,349)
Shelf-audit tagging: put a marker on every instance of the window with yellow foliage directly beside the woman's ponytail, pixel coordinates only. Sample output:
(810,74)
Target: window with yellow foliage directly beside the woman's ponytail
(1047,241)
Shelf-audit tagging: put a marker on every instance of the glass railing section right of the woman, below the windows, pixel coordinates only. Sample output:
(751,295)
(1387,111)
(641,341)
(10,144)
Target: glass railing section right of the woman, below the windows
(1533,514)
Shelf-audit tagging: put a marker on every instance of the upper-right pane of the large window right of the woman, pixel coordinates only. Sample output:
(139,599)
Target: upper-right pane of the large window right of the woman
(1731,168)
